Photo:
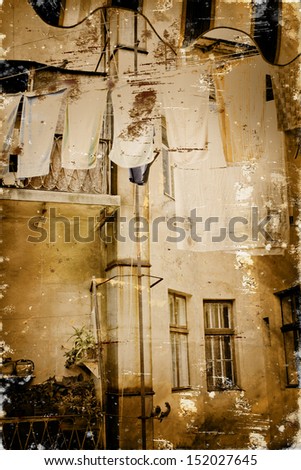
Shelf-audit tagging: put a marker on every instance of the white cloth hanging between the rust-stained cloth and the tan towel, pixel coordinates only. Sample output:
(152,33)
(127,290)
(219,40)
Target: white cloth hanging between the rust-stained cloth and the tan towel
(184,97)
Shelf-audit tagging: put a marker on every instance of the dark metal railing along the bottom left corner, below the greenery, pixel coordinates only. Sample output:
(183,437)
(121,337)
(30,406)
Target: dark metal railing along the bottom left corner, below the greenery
(52,433)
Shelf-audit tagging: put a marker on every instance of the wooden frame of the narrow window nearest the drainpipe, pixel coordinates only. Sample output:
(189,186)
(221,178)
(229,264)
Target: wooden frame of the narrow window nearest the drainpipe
(179,331)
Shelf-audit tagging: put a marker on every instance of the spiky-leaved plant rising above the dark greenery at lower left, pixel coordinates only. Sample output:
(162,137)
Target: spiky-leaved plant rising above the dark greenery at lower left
(84,347)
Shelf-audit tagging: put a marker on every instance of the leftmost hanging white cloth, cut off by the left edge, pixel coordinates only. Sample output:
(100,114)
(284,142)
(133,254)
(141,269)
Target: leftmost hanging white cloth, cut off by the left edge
(8,113)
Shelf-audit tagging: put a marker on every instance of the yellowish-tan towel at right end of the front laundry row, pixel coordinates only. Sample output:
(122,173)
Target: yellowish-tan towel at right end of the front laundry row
(240,92)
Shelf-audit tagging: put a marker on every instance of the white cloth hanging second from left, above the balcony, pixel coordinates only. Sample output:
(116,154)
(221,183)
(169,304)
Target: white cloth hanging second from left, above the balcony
(38,124)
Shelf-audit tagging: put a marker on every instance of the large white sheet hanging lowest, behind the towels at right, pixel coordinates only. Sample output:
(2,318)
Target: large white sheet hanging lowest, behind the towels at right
(221,208)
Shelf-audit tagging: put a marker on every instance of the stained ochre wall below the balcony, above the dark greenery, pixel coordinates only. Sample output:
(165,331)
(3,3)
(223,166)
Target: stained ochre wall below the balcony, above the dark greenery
(47,282)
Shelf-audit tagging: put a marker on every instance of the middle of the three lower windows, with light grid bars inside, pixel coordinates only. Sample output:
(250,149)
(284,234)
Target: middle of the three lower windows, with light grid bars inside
(219,334)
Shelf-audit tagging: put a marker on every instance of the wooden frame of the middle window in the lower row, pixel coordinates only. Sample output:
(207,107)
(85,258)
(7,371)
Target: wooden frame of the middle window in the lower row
(221,333)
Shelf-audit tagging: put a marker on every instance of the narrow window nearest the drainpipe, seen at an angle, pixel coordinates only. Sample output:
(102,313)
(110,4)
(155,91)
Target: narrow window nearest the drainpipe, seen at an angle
(179,341)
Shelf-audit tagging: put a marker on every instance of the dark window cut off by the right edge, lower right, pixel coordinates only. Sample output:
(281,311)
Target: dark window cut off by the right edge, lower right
(291,328)
